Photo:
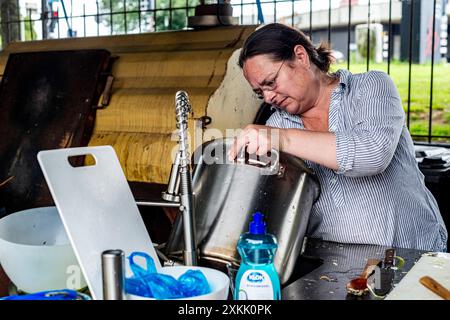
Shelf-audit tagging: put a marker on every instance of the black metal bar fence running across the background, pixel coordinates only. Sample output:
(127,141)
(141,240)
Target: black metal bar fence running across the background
(317,18)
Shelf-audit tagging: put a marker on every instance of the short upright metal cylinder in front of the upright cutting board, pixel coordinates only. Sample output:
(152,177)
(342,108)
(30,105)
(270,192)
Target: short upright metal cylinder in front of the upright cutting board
(113,269)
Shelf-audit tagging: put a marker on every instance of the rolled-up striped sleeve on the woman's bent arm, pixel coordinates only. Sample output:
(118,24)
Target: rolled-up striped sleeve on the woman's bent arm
(367,146)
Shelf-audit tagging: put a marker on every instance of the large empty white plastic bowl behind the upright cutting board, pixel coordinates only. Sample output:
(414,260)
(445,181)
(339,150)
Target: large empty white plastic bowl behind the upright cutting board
(36,253)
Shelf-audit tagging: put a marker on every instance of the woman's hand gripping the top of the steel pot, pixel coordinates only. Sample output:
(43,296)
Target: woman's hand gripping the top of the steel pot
(259,139)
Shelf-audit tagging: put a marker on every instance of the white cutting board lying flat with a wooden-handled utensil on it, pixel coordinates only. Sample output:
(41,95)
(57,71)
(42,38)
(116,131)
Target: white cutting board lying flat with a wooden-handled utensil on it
(436,265)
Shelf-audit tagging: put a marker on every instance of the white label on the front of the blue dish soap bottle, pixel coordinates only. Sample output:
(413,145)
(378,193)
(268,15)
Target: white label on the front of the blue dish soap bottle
(255,285)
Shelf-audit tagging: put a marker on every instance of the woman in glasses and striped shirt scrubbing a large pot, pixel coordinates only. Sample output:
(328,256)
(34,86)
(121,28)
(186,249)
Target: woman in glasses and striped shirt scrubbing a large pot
(350,129)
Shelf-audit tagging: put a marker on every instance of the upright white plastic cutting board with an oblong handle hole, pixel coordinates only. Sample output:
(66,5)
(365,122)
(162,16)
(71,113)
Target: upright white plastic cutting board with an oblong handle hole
(97,208)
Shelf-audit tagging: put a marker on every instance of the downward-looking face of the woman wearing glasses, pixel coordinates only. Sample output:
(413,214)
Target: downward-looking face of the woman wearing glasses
(289,84)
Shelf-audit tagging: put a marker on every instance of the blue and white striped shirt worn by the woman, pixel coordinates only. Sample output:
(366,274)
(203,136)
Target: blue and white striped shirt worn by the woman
(378,195)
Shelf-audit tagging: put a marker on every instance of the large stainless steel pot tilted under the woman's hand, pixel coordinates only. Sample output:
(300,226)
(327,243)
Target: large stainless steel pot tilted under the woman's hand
(226,194)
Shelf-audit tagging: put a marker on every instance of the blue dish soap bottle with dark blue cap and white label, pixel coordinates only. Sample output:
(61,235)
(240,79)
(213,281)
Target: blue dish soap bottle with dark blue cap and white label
(257,278)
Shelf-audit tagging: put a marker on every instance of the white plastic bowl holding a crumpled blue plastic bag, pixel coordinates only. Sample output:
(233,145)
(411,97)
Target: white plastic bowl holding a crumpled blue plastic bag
(217,280)
